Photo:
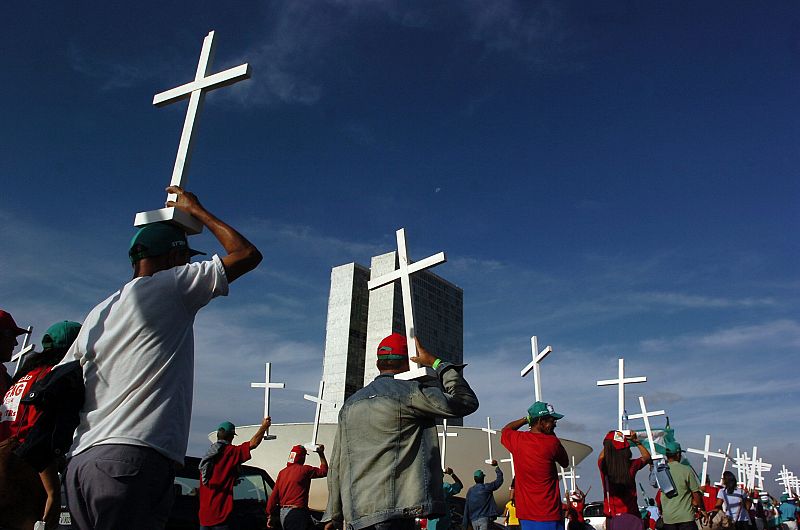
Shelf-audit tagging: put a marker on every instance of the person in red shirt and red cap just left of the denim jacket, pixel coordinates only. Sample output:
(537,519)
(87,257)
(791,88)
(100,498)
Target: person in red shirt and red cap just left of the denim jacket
(290,493)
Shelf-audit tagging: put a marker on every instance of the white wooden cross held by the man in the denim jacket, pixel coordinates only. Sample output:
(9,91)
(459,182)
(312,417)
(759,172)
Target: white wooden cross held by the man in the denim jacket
(403,273)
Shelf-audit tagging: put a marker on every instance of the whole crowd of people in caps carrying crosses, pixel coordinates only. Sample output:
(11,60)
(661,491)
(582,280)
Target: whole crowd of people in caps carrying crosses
(113,398)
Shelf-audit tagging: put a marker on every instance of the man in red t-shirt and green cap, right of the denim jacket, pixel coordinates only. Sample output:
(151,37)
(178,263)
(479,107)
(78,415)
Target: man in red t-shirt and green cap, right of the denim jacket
(537,494)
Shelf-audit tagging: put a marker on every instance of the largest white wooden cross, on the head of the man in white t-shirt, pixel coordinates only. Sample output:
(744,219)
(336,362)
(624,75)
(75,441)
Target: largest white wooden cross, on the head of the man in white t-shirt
(195,91)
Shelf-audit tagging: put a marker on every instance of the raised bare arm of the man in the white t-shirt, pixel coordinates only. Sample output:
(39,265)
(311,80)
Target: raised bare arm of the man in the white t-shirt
(242,256)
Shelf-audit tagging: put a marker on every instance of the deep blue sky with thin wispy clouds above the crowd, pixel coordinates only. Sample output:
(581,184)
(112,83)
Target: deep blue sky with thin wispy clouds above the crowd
(620,180)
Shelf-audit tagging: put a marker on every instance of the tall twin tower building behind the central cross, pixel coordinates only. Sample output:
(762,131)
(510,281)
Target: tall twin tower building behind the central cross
(358,319)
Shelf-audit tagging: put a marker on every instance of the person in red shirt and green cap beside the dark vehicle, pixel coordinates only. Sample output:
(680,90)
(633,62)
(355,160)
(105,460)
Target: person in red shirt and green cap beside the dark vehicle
(219,470)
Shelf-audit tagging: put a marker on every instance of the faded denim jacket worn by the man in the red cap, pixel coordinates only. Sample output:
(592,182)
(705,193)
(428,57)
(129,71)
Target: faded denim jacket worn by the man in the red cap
(385,461)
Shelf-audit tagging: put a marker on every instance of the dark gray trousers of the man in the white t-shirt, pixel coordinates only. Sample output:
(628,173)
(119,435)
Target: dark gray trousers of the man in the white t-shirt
(120,487)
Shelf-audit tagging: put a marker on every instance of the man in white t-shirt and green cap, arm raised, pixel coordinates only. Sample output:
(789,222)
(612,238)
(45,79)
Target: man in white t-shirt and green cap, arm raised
(137,353)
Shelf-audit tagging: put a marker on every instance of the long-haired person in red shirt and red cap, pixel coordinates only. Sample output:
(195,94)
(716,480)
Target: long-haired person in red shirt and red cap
(618,477)
